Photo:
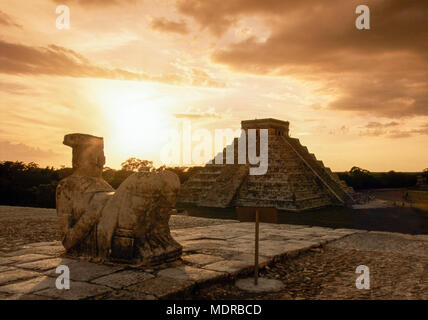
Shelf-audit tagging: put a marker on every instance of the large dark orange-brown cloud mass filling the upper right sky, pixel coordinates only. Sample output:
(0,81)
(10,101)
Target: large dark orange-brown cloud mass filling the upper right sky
(382,71)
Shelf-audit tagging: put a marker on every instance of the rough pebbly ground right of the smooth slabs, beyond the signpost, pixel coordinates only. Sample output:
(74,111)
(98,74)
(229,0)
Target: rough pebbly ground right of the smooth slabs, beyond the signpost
(398,270)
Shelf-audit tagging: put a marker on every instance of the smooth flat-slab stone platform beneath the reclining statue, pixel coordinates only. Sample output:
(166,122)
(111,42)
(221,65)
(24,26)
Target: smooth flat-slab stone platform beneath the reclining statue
(210,254)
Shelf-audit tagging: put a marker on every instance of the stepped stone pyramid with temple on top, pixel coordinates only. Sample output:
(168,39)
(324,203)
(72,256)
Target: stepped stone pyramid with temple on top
(295,179)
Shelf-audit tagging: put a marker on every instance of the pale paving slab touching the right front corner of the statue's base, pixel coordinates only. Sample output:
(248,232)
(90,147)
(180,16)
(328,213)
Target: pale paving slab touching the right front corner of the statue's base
(191,274)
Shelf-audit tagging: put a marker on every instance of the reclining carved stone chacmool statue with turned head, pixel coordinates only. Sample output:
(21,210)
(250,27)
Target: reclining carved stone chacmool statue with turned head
(129,224)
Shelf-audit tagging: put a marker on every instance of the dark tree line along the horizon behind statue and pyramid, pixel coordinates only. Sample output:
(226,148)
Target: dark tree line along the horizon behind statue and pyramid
(27,184)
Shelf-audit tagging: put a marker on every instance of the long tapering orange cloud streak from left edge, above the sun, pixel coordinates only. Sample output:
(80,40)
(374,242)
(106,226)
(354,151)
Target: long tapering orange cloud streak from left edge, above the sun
(18,59)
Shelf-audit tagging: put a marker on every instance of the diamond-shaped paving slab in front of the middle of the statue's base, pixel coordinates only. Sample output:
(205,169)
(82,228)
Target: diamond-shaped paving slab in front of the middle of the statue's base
(123,279)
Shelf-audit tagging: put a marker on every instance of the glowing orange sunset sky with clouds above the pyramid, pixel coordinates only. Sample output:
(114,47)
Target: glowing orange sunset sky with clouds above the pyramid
(129,70)
